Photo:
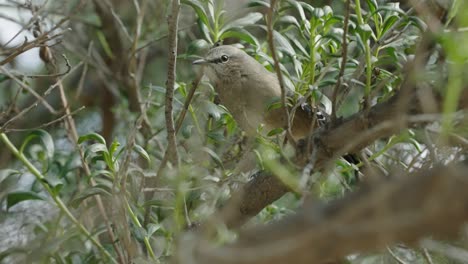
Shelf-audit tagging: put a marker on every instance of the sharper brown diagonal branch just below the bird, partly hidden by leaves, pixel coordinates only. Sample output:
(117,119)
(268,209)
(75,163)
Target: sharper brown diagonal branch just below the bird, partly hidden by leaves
(349,136)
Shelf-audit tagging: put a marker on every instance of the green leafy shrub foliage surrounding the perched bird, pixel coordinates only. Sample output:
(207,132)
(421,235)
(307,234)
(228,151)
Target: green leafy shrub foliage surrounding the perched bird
(100,181)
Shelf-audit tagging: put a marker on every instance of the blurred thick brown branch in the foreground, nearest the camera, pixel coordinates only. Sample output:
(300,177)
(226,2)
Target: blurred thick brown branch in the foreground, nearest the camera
(404,209)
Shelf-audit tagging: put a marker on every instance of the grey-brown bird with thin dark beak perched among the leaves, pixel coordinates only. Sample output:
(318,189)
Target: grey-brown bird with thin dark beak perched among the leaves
(247,90)
